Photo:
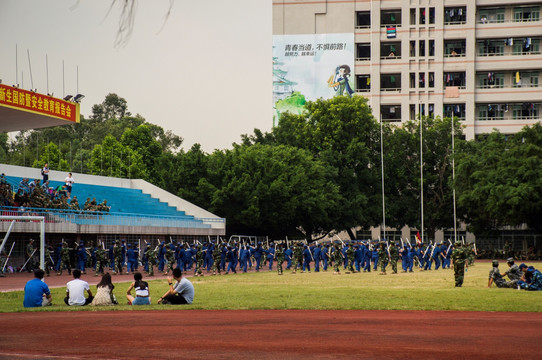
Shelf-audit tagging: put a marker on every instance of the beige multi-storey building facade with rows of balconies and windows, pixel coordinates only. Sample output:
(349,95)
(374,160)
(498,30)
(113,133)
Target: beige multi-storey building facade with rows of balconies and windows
(476,59)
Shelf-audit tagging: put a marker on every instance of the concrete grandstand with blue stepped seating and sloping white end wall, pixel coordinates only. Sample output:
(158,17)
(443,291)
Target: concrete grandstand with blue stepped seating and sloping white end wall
(139,211)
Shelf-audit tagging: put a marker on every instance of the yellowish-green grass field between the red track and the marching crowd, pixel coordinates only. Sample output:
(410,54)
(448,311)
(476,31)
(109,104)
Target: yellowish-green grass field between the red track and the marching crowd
(428,290)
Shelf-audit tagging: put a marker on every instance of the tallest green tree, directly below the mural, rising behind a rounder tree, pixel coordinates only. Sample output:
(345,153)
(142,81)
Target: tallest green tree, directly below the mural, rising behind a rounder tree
(343,133)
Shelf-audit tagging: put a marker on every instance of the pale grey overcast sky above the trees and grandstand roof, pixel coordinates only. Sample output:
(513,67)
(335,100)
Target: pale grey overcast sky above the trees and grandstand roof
(205,72)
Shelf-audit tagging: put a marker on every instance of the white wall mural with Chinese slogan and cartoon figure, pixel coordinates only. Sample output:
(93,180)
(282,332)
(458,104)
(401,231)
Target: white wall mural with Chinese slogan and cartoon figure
(309,67)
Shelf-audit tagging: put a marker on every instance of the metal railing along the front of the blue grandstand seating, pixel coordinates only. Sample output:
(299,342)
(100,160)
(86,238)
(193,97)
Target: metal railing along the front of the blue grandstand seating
(80,217)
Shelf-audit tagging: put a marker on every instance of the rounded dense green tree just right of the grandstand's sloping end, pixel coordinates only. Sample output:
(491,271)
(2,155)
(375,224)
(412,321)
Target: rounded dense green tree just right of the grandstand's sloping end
(275,190)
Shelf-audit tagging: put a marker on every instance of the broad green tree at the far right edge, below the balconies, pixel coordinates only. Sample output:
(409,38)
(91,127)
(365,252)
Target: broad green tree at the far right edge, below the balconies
(499,181)
